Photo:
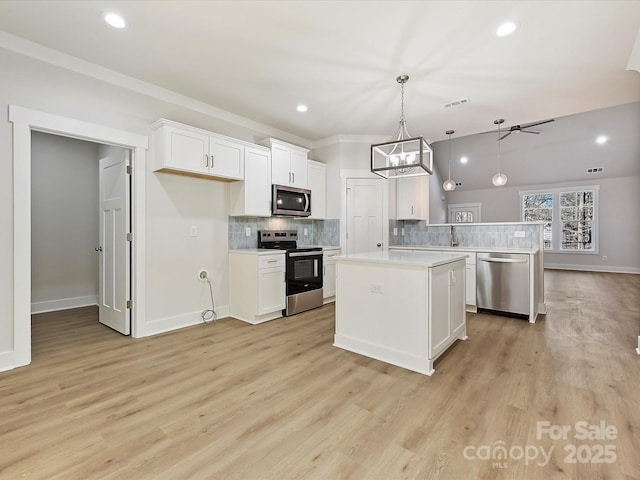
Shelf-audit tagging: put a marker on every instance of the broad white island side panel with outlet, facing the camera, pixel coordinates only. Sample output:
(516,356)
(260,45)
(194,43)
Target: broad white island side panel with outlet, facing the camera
(382,313)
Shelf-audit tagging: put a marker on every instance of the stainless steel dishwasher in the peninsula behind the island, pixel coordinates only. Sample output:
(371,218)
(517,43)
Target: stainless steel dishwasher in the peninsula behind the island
(502,282)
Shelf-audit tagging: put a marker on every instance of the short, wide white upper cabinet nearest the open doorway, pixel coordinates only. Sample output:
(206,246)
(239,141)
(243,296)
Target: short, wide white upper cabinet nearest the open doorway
(183,149)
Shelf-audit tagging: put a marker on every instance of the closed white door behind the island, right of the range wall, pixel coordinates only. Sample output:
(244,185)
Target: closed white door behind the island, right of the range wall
(365,231)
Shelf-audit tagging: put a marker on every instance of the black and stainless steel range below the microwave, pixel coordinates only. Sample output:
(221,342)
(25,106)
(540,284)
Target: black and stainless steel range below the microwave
(303,271)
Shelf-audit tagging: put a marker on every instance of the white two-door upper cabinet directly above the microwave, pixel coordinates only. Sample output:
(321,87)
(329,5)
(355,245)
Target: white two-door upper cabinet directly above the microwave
(288,163)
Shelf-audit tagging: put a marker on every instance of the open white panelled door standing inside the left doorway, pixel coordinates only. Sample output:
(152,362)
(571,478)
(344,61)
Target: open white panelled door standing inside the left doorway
(114,249)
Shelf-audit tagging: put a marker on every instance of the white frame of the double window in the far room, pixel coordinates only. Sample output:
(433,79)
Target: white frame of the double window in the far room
(556,221)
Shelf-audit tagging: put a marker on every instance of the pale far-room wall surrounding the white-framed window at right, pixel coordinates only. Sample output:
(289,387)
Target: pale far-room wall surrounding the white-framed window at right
(619,217)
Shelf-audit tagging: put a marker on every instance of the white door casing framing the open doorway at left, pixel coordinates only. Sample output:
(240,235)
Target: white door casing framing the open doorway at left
(25,121)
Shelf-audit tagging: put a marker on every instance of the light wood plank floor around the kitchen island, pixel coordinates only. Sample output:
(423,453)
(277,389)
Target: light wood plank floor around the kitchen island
(278,401)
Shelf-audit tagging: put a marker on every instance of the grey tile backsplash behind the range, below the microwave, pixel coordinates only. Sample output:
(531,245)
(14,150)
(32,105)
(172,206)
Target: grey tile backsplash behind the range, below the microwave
(318,232)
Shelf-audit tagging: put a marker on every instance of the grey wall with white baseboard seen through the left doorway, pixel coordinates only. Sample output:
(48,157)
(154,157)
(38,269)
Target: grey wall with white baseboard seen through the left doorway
(64,222)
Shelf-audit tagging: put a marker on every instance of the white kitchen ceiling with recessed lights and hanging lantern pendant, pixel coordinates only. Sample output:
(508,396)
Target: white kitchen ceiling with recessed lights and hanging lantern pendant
(260,59)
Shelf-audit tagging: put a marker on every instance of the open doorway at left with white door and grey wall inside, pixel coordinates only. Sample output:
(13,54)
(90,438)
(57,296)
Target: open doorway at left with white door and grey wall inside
(80,256)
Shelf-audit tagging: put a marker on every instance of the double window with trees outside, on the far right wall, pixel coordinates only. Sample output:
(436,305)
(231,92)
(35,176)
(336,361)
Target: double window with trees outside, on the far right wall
(569,216)
